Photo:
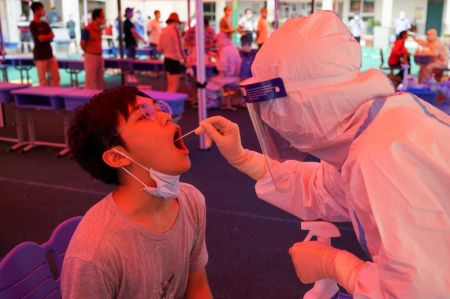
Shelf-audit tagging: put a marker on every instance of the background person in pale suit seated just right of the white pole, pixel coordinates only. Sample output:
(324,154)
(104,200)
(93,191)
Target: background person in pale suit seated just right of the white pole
(228,65)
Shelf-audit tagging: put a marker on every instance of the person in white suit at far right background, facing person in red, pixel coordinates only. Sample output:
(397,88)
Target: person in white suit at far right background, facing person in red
(432,47)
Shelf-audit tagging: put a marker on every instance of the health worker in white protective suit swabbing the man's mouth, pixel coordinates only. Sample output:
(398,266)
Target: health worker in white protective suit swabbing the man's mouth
(385,160)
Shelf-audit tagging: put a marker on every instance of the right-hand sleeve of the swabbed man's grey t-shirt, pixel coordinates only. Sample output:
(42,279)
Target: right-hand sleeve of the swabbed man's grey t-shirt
(199,253)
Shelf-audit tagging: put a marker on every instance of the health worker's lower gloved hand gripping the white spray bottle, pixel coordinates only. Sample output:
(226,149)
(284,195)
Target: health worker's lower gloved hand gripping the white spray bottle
(314,261)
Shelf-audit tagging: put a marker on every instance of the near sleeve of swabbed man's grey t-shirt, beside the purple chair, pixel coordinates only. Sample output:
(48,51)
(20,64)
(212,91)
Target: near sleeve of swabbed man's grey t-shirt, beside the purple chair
(82,279)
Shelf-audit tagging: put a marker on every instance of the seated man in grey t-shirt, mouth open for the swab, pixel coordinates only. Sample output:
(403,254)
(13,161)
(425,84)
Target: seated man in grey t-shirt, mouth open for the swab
(146,239)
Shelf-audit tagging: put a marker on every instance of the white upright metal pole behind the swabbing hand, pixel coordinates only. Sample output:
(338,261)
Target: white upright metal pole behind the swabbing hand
(200,67)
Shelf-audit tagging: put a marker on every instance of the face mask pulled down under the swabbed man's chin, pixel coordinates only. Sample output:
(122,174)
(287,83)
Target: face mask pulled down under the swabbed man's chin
(167,186)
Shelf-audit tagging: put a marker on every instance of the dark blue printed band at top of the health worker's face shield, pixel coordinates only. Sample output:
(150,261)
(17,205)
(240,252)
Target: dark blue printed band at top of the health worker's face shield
(264,91)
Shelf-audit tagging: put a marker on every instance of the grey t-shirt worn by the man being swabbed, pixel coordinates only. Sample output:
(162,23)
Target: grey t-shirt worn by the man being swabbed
(110,256)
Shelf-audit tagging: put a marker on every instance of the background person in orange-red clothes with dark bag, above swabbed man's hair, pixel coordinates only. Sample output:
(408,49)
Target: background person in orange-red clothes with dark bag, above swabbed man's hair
(91,43)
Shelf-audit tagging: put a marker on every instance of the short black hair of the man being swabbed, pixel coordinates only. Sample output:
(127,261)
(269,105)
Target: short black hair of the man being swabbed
(94,127)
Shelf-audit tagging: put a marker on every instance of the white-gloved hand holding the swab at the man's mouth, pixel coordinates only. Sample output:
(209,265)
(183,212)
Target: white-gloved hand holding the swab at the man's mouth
(225,134)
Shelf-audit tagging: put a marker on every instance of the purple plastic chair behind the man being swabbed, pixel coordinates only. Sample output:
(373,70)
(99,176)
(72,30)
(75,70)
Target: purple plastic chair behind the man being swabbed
(33,271)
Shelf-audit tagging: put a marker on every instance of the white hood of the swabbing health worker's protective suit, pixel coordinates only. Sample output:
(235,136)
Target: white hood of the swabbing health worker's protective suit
(318,61)
